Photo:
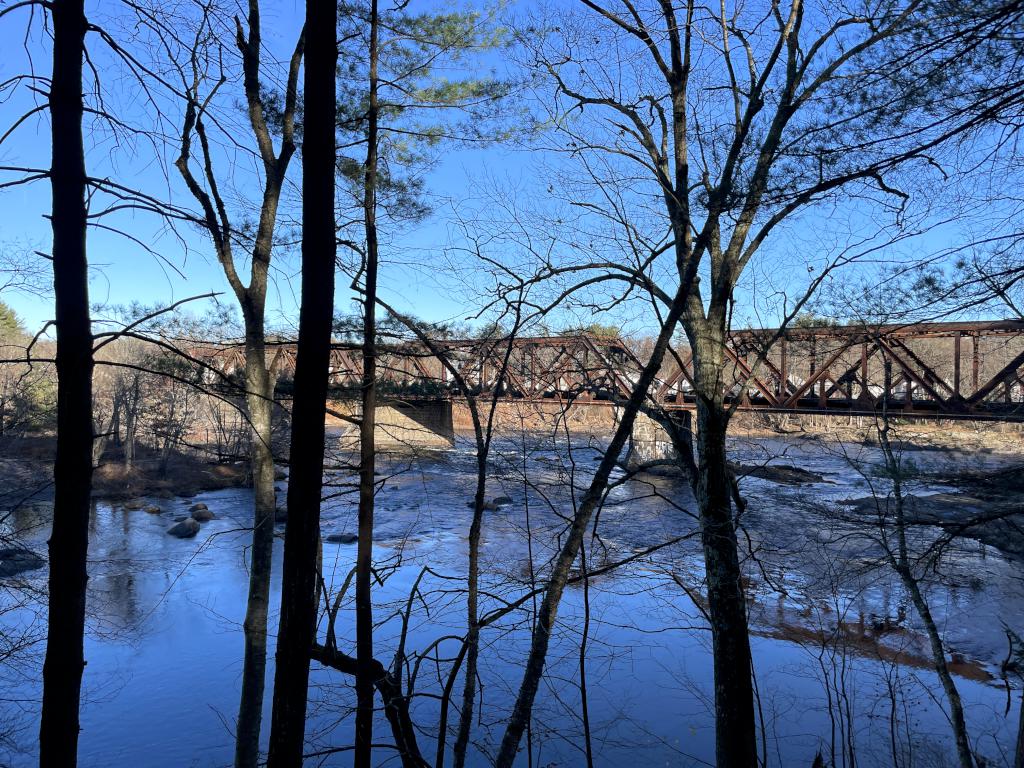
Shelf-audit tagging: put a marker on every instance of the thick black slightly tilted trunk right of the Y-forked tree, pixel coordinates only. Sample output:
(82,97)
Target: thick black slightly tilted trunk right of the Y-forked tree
(298,599)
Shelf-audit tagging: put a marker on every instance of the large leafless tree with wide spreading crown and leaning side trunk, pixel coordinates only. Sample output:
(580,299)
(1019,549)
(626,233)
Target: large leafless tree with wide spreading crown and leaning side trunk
(696,166)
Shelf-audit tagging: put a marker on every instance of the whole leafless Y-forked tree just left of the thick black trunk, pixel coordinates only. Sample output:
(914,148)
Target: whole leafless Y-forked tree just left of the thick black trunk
(200,66)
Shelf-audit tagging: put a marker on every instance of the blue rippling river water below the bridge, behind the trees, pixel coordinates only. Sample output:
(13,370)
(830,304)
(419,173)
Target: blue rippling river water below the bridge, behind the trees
(164,643)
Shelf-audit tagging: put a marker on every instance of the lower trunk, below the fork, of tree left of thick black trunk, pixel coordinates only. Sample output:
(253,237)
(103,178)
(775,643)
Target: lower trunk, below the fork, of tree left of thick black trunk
(260,396)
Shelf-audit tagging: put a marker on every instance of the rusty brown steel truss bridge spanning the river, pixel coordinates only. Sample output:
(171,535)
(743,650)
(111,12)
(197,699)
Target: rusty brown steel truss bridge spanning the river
(930,370)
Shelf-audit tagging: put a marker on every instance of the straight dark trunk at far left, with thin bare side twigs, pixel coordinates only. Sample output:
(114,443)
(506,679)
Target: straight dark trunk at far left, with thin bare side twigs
(69,543)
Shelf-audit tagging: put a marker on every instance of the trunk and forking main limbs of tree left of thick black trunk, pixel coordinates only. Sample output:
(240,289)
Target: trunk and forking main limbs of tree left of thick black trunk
(251,298)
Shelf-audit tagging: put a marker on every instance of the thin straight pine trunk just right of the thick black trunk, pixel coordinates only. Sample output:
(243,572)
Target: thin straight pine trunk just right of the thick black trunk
(364,560)
